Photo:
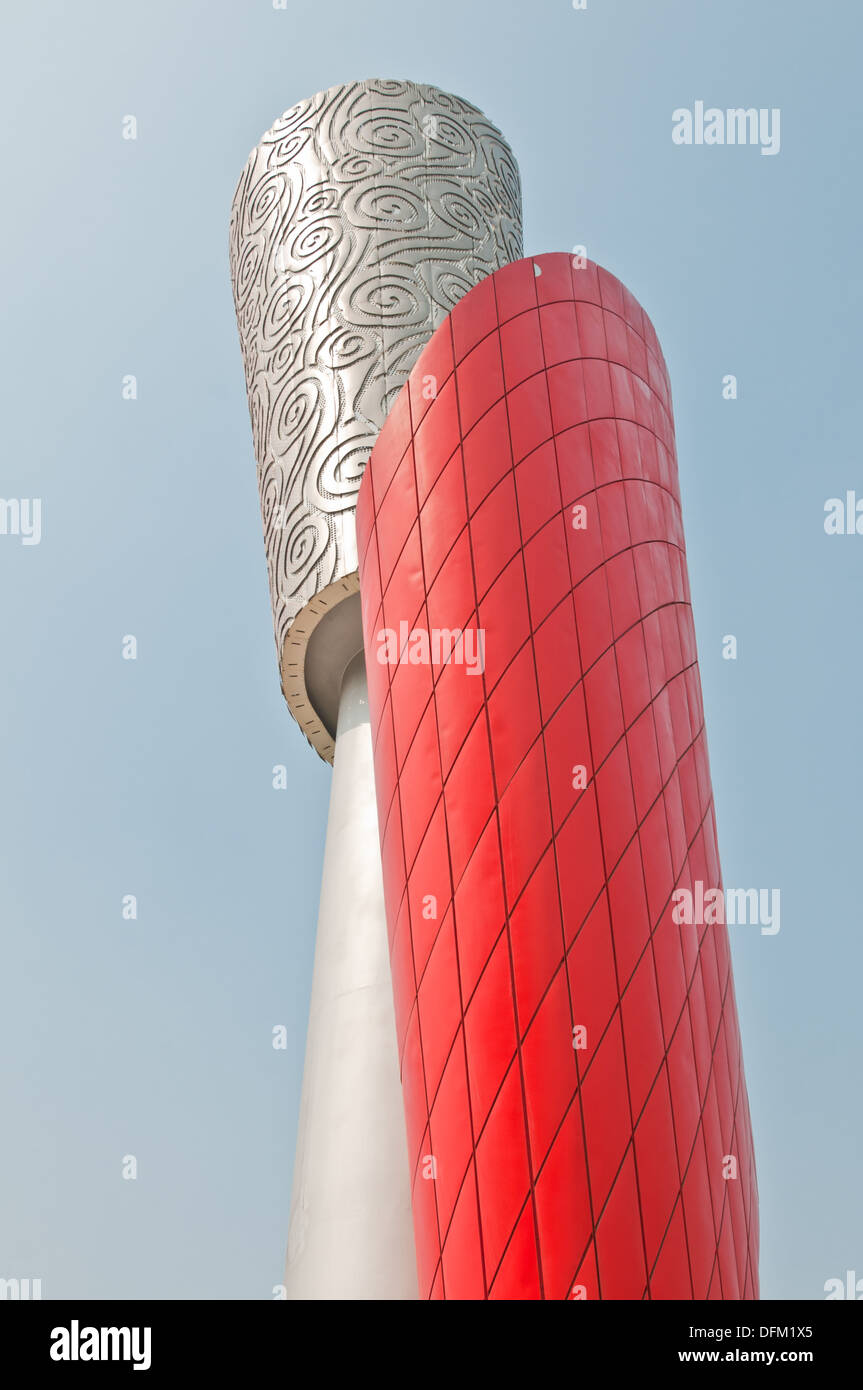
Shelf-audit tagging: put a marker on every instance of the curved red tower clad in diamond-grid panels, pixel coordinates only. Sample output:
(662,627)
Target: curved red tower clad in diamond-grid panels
(570,1053)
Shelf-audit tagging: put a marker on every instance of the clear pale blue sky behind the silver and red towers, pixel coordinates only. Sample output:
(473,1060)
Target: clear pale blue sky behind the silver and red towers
(154,778)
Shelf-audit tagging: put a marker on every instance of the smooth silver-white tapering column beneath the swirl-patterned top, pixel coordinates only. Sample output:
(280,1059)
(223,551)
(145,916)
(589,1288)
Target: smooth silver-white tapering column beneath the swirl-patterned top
(351,1224)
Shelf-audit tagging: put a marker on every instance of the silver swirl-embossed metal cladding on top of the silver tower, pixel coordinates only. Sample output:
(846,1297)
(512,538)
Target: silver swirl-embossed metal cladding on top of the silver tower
(361,219)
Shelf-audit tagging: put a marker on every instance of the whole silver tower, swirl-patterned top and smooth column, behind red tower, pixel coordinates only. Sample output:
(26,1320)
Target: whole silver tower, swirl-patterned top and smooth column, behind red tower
(359,222)
